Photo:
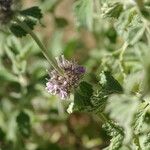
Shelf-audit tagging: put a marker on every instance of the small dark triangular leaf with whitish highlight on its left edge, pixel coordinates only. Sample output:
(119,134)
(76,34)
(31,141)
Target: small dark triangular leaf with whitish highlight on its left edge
(109,83)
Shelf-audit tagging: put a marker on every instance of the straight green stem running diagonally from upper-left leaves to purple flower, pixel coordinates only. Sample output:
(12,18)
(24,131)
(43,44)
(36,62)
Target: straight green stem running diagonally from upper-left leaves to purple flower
(25,27)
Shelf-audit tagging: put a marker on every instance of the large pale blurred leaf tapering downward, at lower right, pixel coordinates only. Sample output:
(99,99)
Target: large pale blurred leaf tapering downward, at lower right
(121,108)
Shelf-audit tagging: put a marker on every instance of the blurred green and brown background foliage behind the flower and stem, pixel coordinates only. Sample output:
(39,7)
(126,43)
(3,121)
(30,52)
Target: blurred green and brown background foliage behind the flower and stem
(94,33)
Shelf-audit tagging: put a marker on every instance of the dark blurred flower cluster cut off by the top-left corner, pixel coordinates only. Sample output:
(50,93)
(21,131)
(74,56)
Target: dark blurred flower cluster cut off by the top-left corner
(5,10)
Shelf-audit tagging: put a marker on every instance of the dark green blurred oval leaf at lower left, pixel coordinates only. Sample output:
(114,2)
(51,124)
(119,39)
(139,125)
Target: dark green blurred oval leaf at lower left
(23,122)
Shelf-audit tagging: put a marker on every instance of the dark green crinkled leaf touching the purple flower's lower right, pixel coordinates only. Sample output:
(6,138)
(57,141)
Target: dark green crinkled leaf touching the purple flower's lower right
(88,100)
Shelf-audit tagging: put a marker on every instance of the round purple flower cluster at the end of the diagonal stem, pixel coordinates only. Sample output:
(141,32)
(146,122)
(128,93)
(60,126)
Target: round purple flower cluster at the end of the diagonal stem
(63,84)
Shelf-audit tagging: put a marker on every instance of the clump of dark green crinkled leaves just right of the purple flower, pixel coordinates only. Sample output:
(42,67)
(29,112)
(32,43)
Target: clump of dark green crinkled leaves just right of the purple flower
(95,101)
